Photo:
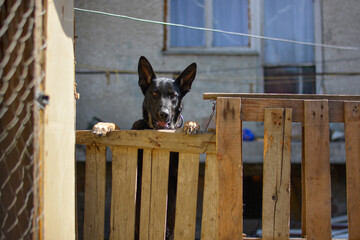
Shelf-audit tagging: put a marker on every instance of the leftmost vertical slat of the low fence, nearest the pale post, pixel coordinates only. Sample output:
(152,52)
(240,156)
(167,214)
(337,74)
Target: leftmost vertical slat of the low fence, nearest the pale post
(94,206)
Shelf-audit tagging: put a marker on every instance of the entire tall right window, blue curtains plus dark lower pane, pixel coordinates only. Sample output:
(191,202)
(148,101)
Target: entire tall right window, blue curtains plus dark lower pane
(289,68)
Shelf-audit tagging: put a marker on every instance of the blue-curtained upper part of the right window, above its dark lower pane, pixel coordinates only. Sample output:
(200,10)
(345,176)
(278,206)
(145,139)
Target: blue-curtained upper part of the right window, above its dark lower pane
(289,19)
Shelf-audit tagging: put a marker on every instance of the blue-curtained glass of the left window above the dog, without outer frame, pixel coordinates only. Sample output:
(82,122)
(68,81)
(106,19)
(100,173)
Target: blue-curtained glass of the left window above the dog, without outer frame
(230,15)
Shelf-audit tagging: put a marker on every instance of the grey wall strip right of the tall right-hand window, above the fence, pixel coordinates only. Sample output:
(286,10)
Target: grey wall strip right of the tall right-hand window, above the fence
(341,26)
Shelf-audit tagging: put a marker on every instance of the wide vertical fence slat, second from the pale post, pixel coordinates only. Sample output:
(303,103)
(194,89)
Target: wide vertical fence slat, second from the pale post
(124,171)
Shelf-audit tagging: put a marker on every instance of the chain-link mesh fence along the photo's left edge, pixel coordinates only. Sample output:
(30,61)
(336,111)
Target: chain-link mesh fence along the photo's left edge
(21,73)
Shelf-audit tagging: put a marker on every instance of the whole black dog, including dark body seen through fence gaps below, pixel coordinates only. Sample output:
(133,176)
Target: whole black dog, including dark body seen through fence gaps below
(162,108)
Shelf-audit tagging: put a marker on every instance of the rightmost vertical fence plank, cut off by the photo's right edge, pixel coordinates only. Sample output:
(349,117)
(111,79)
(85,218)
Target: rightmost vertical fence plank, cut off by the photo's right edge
(352,141)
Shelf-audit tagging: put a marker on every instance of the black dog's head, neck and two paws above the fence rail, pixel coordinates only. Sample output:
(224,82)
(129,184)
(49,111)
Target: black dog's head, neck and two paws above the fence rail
(162,104)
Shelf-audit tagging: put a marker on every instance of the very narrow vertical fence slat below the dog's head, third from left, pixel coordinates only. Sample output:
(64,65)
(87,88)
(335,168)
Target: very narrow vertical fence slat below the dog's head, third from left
(145,195)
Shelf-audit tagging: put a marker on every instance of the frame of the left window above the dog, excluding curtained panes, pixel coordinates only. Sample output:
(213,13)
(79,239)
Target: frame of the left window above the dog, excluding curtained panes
(254,45)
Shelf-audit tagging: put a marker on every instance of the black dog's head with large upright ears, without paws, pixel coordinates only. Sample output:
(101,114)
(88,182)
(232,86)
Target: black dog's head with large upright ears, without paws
(163,96)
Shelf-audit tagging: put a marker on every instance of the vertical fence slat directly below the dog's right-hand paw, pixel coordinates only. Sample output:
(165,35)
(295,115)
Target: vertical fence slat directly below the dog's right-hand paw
(187,185)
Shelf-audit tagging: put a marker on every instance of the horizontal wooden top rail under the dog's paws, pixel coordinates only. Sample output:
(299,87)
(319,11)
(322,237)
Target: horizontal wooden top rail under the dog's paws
(171,140)
